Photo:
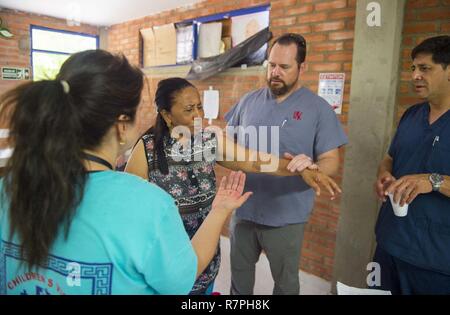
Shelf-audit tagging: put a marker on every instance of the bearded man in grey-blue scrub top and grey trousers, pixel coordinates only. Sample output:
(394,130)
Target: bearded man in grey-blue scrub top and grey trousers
(273,220)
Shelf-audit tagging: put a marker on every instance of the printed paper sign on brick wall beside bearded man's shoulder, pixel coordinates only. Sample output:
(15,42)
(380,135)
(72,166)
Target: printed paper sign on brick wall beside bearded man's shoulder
(331,88)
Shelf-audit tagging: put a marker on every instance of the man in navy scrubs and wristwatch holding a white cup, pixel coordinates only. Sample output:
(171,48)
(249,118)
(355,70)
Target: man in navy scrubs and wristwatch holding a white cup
(414,251)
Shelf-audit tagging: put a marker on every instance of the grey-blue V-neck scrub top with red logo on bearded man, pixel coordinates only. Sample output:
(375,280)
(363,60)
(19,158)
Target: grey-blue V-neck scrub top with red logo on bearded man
(306,124)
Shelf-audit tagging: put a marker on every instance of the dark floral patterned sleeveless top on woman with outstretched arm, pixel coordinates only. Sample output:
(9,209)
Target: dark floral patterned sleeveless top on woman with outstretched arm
(191,181)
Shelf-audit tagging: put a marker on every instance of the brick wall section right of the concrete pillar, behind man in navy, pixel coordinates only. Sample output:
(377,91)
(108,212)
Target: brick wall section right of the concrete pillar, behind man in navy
(423,19)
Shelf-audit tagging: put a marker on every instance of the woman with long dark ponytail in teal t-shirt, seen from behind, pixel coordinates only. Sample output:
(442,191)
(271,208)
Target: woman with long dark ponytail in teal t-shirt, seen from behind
(69,224)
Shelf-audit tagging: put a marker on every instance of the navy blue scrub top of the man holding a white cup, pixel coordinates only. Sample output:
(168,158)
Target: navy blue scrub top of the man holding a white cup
(422,238)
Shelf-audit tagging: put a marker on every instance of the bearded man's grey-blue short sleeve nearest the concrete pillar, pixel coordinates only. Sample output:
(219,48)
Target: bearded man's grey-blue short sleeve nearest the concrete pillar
(329,134)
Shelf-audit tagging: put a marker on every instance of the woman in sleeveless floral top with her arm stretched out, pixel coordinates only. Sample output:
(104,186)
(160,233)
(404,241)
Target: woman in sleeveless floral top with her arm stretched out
(161,157)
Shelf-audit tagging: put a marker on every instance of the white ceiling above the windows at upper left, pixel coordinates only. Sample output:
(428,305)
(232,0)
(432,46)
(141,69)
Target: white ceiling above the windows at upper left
(96,12)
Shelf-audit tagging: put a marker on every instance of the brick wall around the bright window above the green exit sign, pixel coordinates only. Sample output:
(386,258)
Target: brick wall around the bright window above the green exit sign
(19,24)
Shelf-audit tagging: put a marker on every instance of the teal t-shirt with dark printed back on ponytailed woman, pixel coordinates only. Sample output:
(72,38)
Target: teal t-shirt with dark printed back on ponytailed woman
(126,237)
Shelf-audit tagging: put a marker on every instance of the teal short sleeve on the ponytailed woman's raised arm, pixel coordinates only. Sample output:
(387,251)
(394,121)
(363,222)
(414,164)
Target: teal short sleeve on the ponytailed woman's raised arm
(171,262)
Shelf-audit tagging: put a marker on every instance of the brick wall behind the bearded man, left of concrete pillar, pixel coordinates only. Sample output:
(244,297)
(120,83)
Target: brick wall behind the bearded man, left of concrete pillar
(328,27)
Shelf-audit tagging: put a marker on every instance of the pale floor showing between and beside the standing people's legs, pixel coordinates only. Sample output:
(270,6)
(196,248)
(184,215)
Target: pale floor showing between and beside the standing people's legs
(309,284)
